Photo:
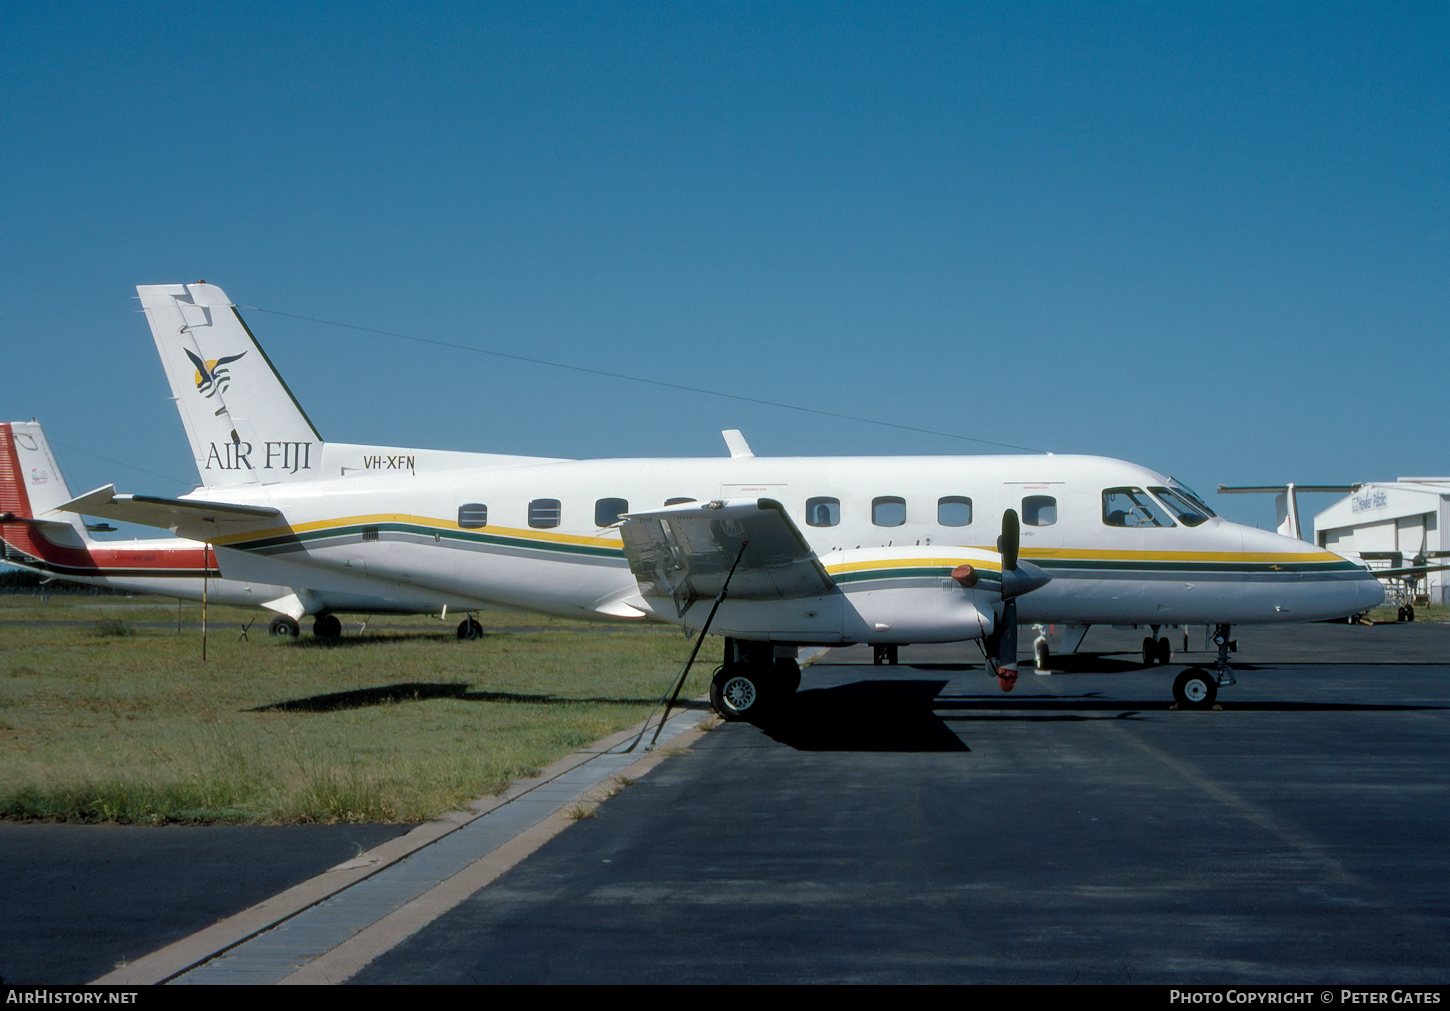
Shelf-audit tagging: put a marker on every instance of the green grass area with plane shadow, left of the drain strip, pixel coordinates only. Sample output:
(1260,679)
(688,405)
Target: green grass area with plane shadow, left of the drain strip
(109,714)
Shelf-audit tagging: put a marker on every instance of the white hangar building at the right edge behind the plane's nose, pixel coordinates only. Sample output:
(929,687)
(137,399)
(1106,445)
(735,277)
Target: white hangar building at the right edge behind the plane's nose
(1391,523)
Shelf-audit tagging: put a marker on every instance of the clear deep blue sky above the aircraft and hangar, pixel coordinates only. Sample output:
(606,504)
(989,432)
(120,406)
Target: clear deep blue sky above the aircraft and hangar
(1209,239)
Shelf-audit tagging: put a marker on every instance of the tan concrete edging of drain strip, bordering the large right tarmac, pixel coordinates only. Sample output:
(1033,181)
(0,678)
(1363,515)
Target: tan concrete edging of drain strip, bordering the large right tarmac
(350,958)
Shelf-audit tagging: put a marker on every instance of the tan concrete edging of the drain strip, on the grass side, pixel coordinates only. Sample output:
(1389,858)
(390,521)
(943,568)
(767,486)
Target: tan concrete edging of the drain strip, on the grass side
(211,942)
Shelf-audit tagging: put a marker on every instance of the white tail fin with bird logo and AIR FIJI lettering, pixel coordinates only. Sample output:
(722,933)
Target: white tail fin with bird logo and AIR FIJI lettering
(244,424)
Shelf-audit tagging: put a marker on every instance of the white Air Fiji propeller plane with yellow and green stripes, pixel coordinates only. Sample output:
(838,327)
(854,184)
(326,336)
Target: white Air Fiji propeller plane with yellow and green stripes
(792,552)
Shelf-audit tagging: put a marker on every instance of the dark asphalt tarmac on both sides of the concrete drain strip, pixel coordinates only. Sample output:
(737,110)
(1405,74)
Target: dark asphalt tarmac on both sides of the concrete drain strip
(911,825)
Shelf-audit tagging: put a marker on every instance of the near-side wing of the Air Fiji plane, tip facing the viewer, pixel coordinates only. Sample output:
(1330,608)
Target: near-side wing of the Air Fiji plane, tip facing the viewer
(687,552)
